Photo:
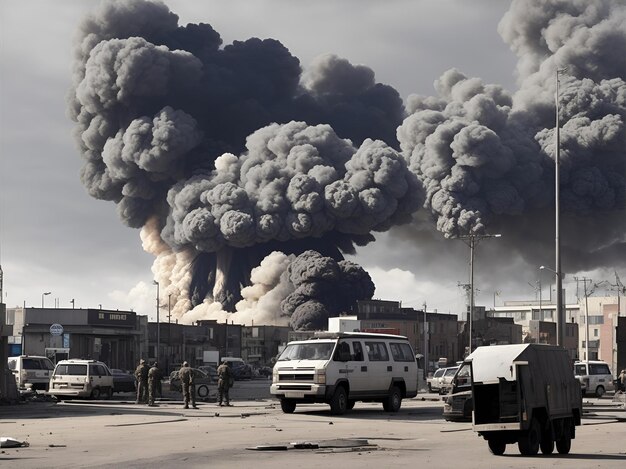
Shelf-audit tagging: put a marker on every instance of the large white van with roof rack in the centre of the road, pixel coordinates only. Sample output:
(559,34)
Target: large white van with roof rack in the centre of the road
(340,368)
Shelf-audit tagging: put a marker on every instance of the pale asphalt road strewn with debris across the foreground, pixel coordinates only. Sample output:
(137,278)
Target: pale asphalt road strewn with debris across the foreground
(254,432)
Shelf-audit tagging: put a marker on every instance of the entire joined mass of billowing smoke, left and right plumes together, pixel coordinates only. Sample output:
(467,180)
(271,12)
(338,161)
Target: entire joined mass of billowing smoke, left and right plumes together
(236,164)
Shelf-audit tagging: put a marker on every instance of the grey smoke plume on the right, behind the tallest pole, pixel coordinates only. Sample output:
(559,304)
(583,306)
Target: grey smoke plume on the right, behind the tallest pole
(486,157)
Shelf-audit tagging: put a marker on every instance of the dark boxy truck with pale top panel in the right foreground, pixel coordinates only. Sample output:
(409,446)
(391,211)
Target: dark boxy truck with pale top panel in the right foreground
(525,394)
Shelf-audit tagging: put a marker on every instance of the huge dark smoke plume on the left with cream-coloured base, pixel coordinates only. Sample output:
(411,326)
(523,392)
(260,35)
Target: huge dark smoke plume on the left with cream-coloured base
(224,155)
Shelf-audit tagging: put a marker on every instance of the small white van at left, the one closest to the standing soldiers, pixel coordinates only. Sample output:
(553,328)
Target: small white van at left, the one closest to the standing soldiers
(81,378)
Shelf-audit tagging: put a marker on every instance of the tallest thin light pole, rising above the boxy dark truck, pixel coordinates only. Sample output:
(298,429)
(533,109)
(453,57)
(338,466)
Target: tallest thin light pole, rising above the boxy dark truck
(560,314)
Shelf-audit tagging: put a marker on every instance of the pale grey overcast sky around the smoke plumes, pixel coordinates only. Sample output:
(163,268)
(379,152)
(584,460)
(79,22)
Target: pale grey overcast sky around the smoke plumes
(56,238)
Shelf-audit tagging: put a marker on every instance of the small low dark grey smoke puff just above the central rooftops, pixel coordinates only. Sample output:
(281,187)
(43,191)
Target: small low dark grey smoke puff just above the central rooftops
(323,288)
